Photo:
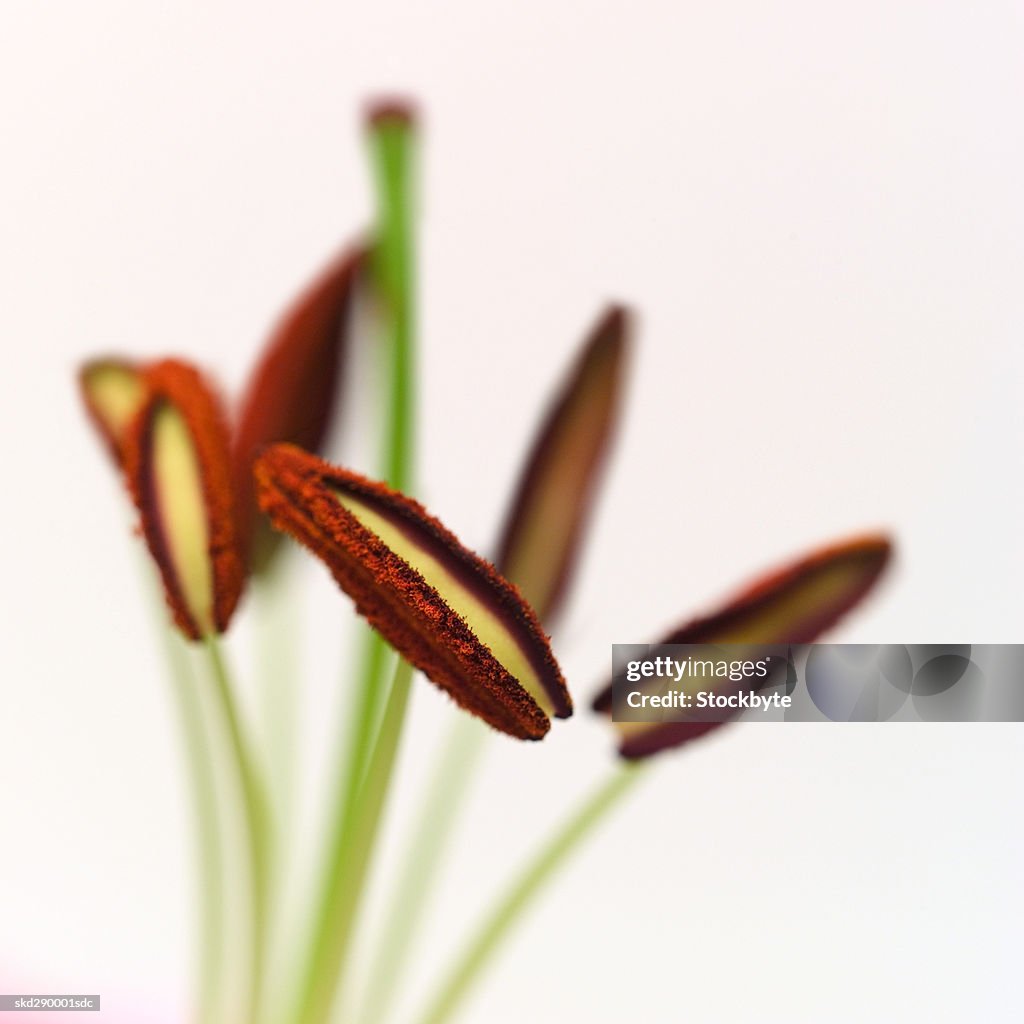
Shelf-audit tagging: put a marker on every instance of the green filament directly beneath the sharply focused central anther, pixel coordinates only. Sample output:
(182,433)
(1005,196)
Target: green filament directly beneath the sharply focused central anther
(351,863)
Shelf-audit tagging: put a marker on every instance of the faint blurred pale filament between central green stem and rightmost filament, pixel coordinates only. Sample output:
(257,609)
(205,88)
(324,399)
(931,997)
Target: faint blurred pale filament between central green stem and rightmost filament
(447,790)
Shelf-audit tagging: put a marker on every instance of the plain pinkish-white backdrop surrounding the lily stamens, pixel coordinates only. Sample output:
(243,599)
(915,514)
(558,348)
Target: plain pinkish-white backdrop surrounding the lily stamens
(817,210)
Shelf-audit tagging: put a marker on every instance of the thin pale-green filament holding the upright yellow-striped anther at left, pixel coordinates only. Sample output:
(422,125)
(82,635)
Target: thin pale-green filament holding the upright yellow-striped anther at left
(257,824)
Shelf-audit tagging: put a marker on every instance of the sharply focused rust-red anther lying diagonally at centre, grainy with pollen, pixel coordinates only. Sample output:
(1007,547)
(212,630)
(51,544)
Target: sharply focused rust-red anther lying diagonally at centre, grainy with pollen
(444,609)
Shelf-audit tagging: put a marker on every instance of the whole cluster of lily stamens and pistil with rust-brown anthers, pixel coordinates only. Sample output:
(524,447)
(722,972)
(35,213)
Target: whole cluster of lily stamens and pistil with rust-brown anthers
(202,483)
